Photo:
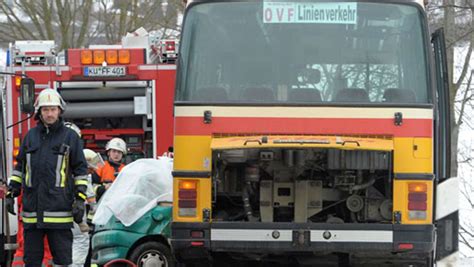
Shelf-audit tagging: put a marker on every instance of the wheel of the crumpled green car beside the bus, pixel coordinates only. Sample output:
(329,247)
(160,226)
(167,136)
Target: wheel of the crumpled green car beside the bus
(152,254)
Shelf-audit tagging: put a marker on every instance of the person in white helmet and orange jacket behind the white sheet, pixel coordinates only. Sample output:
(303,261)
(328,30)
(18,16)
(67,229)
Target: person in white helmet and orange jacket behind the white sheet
(116,149)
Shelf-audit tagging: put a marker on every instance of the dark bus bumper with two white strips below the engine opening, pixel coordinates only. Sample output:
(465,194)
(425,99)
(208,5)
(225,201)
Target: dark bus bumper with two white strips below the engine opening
(296,238)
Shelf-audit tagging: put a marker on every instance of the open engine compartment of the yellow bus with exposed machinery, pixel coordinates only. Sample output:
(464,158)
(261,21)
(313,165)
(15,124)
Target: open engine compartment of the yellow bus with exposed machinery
(319,185)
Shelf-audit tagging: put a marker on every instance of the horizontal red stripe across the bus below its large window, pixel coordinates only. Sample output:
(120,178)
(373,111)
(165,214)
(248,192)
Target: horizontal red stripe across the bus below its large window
(329,126)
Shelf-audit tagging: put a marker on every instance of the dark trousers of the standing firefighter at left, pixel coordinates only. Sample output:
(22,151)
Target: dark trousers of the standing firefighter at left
(60,243)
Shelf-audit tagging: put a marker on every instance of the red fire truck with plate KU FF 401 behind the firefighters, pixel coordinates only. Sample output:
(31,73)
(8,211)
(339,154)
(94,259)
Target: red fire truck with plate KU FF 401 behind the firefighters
(111,91)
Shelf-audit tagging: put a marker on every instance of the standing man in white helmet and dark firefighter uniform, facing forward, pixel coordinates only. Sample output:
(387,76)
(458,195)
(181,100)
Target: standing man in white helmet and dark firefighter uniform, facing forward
(52,173)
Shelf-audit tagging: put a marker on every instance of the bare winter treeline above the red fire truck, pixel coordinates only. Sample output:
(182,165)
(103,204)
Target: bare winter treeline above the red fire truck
(78,23)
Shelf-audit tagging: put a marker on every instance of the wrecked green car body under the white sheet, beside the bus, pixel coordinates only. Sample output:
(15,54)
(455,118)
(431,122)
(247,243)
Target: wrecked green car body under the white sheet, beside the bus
(145,242)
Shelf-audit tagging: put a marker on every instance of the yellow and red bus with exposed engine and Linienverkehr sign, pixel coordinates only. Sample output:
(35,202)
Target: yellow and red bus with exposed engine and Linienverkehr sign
(326,142)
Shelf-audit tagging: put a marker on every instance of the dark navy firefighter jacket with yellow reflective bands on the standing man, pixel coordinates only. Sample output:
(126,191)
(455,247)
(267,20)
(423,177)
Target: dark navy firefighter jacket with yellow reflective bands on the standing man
(52,172)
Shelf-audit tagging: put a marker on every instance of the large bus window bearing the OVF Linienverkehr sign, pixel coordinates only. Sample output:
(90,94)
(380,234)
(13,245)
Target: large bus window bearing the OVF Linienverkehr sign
(302,52)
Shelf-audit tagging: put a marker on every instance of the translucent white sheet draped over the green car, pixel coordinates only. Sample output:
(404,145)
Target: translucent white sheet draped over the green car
(137,189)
